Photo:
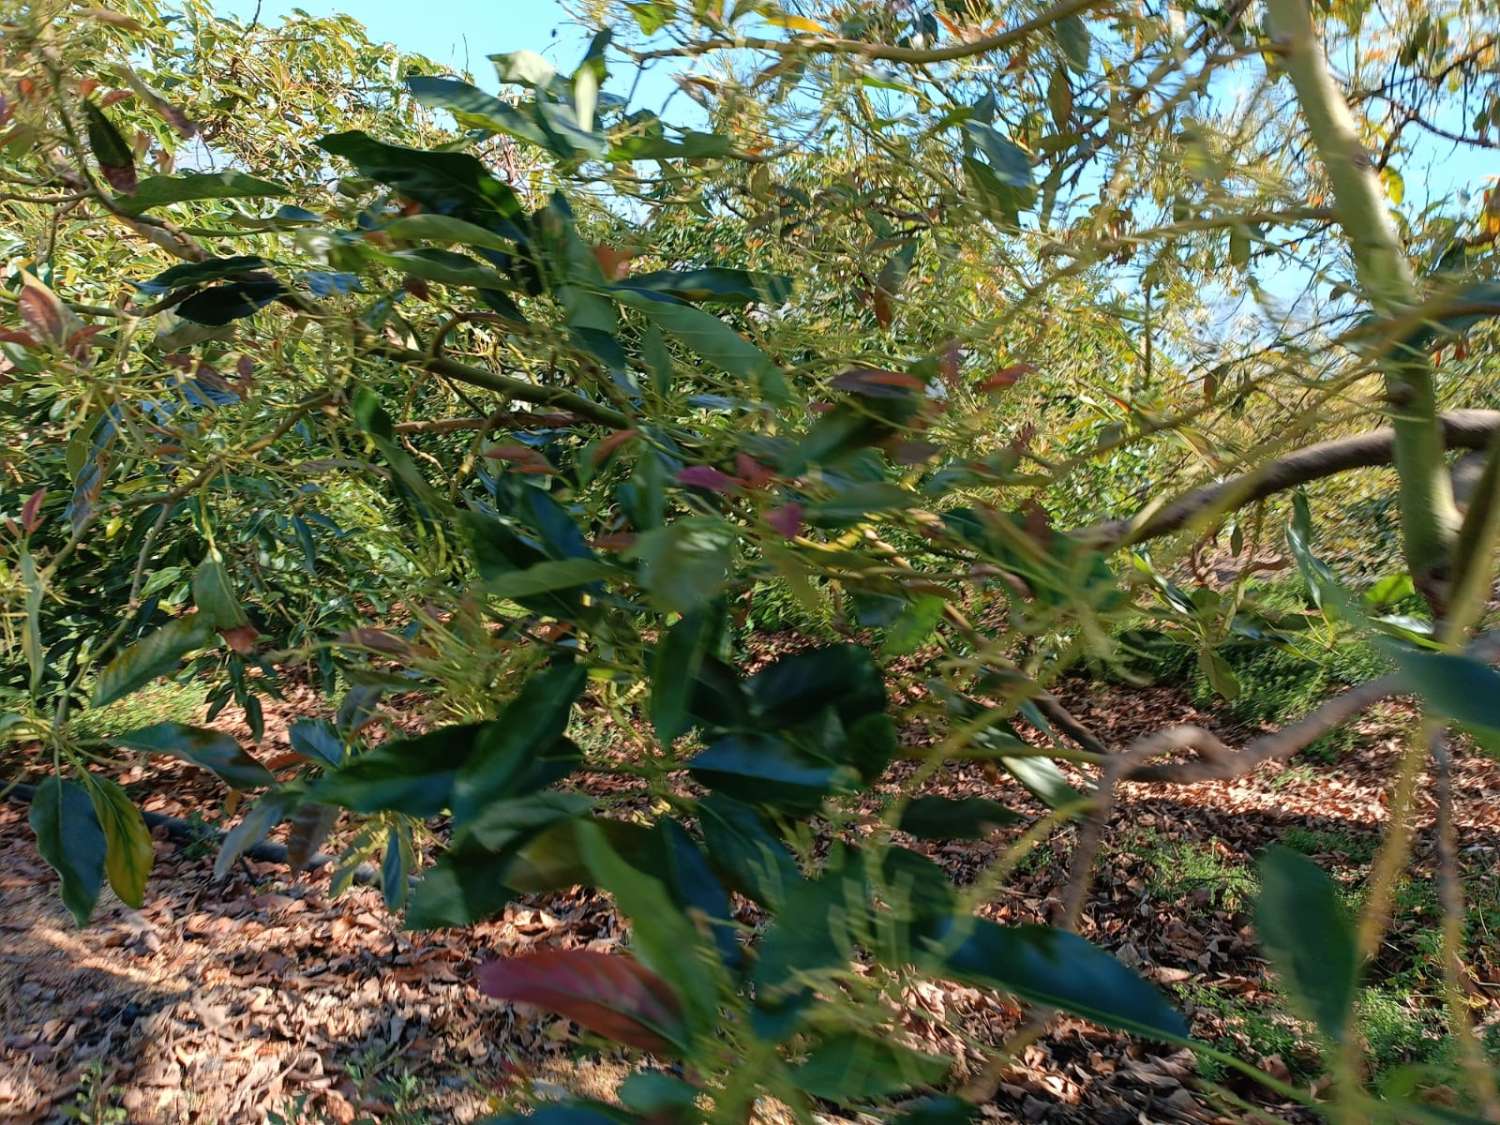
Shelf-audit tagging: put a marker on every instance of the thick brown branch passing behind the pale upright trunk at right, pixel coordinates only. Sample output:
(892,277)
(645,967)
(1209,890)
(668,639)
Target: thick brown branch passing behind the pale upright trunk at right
(1460,430)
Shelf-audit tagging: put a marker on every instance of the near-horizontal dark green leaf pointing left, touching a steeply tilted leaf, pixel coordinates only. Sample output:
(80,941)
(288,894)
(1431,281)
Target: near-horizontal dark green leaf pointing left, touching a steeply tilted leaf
(412,776)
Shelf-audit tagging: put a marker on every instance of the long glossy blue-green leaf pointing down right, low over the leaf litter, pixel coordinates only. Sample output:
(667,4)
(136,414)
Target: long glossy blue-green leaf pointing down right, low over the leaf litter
(1052,968)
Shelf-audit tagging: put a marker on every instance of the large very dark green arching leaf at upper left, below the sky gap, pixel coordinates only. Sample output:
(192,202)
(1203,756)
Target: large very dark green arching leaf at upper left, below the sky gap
(448,184)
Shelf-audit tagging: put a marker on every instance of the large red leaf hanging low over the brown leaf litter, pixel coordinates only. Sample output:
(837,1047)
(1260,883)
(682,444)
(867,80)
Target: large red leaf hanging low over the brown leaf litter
(611,995)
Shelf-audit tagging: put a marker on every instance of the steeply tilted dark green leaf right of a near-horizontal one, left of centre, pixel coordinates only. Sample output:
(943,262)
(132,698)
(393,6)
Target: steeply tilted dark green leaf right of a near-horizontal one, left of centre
(523,751)
